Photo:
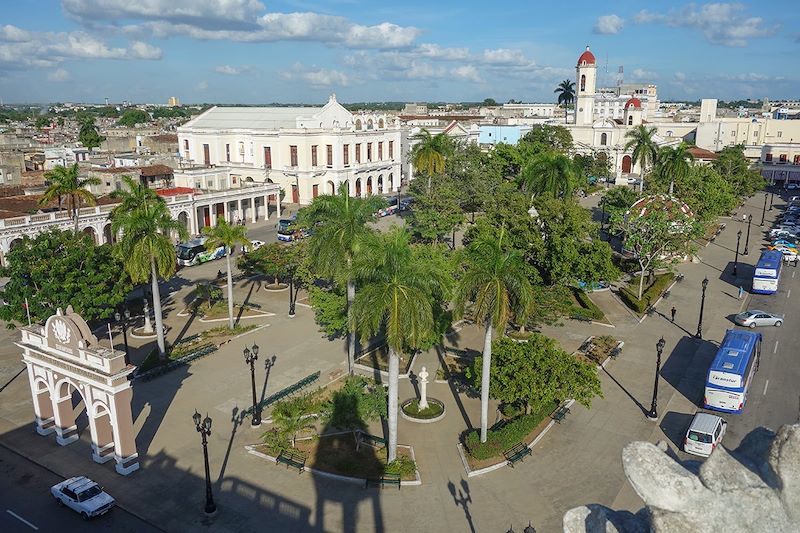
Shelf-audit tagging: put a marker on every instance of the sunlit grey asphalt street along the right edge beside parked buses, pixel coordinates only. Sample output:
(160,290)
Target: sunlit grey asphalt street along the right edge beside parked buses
(774,397)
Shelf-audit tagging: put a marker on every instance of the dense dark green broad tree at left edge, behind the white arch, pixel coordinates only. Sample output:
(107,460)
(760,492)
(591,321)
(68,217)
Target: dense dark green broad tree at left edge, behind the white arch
(58,268)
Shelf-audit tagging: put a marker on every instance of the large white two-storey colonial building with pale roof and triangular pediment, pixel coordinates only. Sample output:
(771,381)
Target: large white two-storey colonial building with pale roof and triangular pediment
(306,151)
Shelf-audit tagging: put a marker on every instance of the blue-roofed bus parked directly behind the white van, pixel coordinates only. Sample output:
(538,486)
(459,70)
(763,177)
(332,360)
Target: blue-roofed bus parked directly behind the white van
(731,373)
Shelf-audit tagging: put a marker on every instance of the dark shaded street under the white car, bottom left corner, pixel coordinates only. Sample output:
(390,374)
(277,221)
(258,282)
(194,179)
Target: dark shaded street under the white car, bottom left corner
(27,505)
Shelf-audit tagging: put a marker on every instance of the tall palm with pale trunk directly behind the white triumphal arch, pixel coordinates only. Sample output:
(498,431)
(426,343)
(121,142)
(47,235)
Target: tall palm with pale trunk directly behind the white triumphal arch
(146,248)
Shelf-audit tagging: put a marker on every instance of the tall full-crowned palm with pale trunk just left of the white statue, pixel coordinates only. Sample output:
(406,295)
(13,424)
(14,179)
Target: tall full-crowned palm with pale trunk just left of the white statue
(396,298)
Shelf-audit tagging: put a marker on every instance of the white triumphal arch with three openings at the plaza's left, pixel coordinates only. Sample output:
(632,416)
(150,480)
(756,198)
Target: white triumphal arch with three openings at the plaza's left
(63,358)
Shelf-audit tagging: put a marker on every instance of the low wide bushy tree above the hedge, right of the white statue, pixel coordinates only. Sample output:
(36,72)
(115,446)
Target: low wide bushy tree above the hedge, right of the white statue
(537,373)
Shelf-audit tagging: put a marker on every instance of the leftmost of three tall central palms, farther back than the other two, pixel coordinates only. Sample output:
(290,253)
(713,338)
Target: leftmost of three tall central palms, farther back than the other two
(340,225)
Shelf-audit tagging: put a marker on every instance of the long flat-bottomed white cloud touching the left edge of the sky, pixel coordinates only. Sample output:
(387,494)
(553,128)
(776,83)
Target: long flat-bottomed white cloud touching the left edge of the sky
(21,48)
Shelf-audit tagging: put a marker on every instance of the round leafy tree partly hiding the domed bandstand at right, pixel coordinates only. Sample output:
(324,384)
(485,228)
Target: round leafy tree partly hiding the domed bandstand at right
(655,232)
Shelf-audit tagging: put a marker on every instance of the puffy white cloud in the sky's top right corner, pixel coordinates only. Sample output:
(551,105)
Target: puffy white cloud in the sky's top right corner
(726,24)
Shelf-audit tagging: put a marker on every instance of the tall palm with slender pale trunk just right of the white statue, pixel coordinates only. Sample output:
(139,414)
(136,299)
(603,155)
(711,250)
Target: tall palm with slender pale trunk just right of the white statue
(496,283)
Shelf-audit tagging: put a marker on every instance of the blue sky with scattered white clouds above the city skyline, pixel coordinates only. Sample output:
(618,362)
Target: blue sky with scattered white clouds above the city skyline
(301,51)
